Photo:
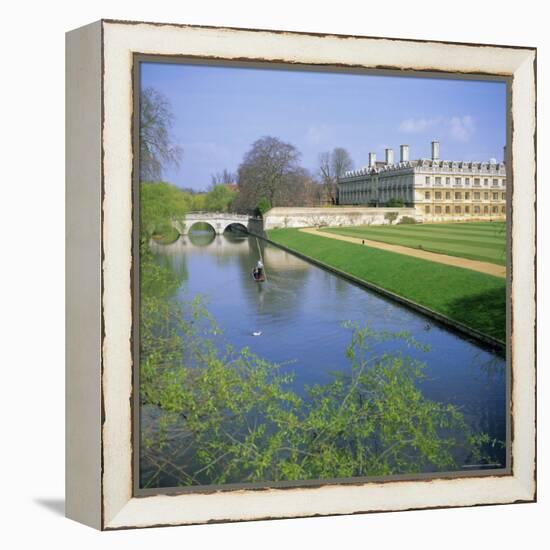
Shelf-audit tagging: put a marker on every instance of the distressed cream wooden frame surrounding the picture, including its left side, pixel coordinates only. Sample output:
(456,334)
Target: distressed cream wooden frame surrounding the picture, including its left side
(99,463)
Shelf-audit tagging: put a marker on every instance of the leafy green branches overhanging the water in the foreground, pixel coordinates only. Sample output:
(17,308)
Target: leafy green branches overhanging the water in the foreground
(227,417)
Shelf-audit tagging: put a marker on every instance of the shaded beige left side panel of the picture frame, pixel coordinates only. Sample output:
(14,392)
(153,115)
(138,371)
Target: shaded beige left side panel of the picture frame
(83,291)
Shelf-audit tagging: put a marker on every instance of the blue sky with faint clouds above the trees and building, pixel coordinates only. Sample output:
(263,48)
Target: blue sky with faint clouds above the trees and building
(220,111)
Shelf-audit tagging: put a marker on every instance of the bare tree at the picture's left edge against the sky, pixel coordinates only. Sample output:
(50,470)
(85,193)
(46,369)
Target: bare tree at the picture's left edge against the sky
(156,147)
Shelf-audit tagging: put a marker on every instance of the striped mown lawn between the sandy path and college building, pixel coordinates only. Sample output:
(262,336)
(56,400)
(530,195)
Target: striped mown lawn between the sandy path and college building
(484,241)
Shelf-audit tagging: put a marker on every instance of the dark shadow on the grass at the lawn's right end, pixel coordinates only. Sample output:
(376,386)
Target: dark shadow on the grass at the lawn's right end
(484,311)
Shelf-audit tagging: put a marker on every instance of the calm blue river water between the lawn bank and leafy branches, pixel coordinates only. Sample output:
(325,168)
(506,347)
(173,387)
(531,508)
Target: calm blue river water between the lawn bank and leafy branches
(299,312)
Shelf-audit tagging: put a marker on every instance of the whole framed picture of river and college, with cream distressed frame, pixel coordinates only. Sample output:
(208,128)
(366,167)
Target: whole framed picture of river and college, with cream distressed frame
(300,274)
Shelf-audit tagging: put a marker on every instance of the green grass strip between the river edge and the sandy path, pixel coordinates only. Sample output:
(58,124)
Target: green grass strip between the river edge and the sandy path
(472,298)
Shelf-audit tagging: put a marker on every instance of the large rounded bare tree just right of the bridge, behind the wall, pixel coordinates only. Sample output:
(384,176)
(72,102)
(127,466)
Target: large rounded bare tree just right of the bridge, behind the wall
(270,170)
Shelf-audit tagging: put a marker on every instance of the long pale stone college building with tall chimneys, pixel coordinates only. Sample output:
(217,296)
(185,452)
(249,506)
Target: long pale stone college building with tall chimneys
(437,189)
